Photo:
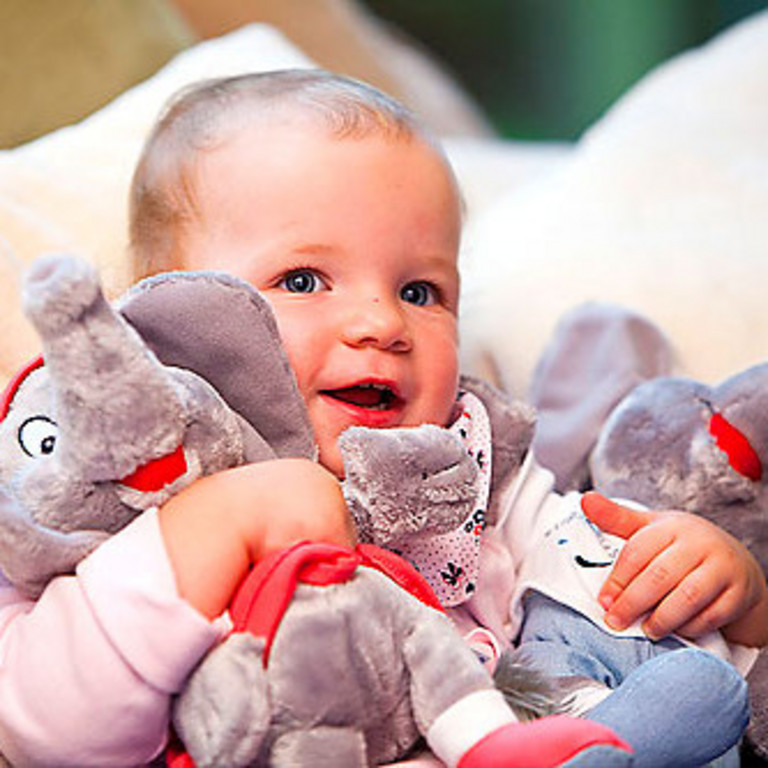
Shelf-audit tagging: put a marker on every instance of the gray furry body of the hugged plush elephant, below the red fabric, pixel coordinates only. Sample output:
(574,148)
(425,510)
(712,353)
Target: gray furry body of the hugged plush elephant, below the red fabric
(302,706)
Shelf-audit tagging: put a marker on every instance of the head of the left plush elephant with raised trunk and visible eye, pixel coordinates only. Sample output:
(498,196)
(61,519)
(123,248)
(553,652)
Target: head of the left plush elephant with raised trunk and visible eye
(99,429)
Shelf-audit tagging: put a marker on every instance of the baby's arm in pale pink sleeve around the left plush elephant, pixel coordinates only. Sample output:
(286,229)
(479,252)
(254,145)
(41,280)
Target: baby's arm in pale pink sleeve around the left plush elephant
(87,672)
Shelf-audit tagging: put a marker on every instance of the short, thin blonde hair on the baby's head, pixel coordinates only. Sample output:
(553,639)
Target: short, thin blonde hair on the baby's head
(198,118)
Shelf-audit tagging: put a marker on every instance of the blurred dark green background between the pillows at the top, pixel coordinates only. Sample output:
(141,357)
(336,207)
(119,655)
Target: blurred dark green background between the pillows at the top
(547,69)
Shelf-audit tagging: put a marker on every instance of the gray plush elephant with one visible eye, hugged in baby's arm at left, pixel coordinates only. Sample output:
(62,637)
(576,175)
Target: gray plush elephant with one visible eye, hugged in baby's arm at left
(187,378)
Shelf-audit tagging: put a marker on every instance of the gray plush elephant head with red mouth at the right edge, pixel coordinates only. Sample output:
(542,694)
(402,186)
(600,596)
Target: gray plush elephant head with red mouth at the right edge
(675,442)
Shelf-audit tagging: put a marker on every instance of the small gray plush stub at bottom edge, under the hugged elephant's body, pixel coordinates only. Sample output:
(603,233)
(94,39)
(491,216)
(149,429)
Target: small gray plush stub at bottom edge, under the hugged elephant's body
(321,747)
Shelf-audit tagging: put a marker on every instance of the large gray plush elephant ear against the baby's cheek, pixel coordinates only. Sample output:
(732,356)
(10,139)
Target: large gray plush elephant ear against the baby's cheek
(220,328)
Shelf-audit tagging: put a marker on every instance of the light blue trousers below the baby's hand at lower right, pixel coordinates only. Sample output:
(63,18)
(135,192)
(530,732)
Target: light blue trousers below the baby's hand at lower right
(676,706)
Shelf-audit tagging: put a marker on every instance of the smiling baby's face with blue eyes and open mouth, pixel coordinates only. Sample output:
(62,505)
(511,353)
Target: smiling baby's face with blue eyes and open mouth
(354,243)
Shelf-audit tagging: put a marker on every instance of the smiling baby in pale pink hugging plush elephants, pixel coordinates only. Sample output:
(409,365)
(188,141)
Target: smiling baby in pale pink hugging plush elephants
(334,202)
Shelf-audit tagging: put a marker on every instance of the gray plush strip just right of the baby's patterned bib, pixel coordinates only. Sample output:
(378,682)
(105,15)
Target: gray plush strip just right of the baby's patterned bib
(512,428)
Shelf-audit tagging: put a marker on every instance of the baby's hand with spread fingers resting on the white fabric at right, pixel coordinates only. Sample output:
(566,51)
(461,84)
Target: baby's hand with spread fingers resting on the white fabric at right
(689,574)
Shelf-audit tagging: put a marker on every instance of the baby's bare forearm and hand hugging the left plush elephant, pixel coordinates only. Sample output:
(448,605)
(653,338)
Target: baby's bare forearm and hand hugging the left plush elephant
(225,522)
